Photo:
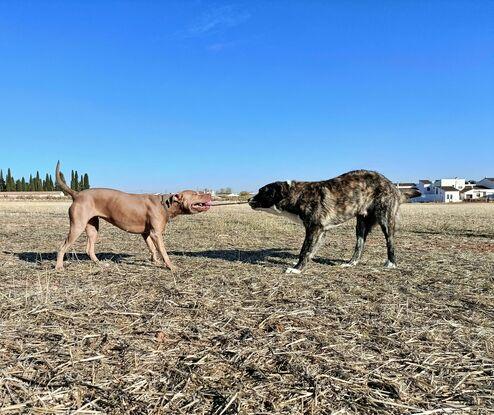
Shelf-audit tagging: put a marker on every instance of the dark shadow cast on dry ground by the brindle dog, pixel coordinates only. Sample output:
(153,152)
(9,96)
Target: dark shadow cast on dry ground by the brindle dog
(279,256)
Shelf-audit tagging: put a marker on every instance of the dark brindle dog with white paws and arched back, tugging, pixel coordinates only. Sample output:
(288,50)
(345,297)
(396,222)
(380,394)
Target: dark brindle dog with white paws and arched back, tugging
(320,206)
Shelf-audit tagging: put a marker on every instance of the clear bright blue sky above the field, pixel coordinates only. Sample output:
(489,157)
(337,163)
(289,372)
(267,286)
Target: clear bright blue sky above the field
(161,96)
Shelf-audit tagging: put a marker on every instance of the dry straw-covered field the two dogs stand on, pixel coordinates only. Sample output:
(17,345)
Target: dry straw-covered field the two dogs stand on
(231,333)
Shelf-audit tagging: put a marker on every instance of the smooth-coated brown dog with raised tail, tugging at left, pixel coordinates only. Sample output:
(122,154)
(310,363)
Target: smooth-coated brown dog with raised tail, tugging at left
(135,213)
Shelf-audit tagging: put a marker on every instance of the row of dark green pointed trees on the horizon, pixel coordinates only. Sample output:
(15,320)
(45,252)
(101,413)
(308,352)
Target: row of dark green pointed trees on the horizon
(37,184)
